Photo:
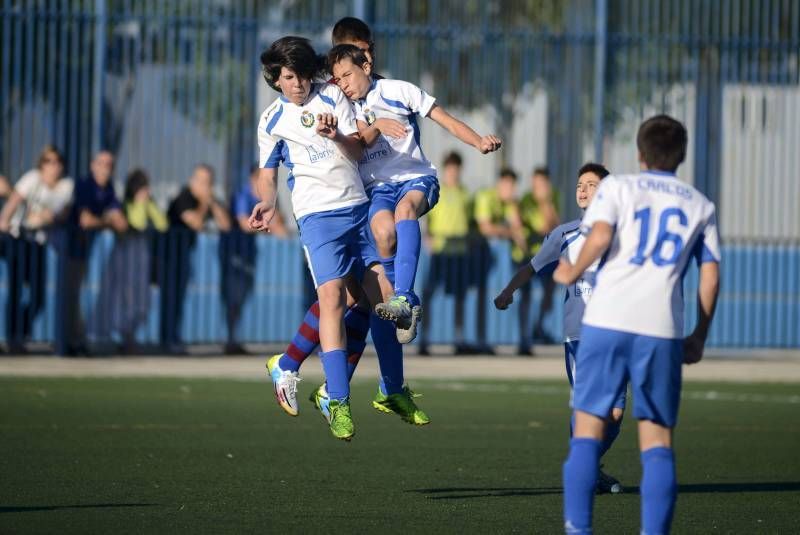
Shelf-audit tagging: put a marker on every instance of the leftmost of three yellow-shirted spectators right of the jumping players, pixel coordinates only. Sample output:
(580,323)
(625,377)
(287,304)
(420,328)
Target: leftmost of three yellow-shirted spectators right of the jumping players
(447,237)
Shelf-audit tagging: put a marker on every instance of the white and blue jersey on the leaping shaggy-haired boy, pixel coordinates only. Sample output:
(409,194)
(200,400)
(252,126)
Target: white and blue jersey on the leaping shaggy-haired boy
(321,178)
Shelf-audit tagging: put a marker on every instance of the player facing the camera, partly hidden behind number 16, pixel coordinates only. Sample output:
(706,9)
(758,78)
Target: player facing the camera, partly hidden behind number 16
(566,240)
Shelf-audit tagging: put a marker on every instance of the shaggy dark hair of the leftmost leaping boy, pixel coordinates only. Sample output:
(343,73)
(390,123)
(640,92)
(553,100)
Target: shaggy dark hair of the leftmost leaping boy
(294,53)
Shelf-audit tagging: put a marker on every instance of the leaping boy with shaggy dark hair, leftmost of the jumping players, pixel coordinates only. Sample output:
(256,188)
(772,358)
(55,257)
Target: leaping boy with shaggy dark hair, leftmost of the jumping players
(312,131)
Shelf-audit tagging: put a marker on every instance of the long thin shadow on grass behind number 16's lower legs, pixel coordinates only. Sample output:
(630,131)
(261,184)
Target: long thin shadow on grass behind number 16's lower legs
(461,493)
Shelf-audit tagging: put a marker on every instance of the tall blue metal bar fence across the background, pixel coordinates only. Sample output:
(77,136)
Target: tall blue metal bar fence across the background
(165,85)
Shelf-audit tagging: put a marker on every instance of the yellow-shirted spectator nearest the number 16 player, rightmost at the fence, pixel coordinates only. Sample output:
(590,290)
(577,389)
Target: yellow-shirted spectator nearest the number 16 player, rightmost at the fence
(539,212)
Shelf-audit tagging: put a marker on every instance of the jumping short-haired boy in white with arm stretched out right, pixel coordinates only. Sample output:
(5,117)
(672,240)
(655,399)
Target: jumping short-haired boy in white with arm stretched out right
(400,180)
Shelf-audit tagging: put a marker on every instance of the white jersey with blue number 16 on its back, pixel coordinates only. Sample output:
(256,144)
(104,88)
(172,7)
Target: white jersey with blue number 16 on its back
(660,224)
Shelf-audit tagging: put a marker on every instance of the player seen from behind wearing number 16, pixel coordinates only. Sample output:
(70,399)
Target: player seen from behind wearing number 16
(646,228)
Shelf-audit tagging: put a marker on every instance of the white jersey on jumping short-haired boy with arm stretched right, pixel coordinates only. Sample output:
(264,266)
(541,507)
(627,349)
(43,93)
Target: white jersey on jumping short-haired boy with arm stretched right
(392,160)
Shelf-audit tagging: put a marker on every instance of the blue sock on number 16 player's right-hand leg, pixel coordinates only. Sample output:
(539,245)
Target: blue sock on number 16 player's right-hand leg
(659,489)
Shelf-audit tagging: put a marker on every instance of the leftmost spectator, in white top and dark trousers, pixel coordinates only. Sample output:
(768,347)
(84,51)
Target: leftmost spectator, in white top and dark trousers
(39,200)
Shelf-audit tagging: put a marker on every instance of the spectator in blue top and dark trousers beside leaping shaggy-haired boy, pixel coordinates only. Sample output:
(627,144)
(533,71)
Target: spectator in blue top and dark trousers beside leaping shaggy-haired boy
(237,252)
